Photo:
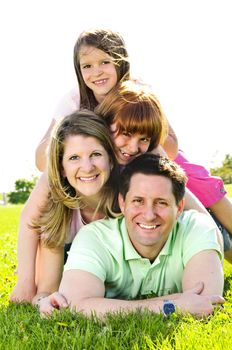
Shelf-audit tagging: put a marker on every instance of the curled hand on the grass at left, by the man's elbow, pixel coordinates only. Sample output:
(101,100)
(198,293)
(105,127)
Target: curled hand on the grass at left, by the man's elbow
(55,301)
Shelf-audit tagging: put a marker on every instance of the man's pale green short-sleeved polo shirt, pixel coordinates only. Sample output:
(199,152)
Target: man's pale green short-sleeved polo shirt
(104,249)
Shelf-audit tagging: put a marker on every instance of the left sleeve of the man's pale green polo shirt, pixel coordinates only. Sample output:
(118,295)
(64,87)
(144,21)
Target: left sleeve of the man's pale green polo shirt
(88,253)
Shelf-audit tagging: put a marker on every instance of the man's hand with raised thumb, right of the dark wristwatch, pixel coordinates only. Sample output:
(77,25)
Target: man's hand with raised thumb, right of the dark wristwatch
(200,305)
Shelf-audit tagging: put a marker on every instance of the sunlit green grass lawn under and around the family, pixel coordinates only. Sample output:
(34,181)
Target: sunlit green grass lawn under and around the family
(22,328)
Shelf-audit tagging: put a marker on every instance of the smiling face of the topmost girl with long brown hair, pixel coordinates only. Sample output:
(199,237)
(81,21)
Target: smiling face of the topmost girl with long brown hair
(98,71)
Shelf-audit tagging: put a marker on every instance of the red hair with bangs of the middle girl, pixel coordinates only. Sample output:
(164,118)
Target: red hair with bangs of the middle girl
(134,108)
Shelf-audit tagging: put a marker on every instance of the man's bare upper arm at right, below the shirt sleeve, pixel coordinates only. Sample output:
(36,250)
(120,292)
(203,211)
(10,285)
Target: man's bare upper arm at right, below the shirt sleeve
(204,266)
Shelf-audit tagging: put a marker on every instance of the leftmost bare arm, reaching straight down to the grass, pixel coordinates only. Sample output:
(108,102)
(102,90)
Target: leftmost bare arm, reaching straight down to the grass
(25,289)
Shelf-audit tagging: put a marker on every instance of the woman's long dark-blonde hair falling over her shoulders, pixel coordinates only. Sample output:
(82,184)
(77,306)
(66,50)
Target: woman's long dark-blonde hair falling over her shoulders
(54,222)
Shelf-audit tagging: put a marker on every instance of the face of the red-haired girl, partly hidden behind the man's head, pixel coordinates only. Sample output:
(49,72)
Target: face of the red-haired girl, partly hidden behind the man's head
(127,145)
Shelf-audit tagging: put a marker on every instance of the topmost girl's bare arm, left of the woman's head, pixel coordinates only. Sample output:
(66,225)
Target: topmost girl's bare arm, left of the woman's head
(40,153)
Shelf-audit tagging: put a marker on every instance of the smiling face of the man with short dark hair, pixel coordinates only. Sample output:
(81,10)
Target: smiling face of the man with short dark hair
(150,212)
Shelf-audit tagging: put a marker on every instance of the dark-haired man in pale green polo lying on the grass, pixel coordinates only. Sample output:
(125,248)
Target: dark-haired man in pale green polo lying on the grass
(154,253)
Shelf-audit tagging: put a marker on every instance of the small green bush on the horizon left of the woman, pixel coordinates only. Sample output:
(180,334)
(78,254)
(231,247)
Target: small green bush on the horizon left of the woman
(22,191)
